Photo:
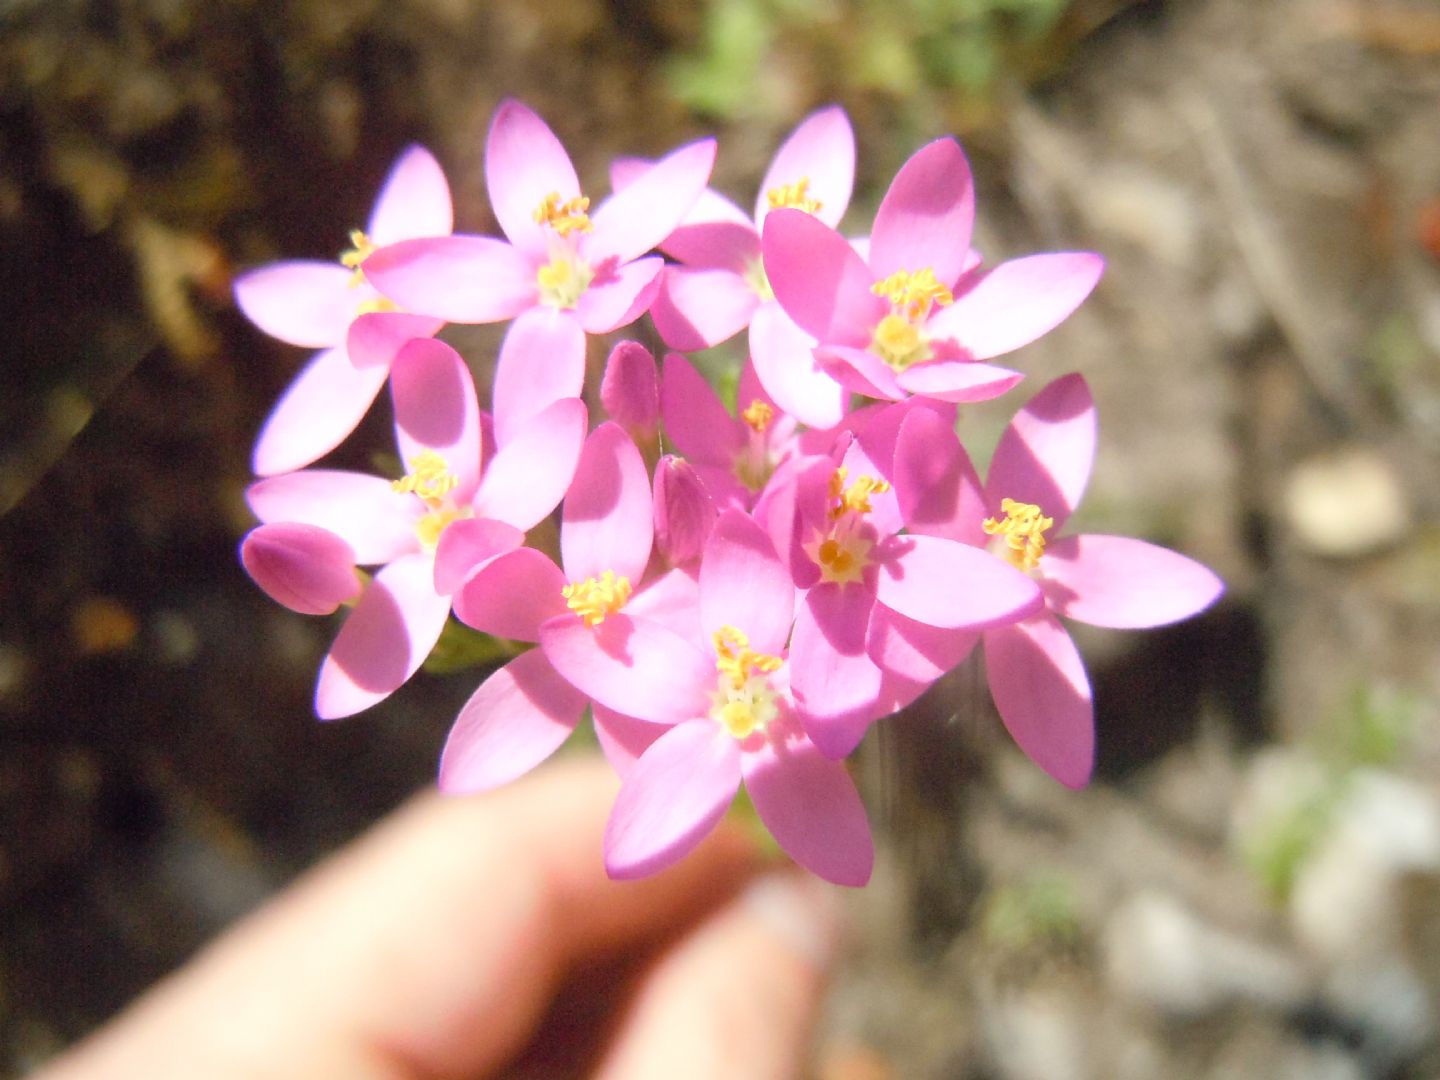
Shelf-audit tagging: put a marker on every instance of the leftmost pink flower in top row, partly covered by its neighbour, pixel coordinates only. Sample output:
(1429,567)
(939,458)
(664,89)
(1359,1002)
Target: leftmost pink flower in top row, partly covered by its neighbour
(330,306)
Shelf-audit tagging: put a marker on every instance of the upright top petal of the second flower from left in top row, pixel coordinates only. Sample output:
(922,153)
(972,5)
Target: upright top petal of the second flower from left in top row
(525,163)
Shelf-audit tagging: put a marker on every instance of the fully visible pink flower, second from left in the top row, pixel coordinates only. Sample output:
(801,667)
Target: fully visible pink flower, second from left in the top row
(562,273)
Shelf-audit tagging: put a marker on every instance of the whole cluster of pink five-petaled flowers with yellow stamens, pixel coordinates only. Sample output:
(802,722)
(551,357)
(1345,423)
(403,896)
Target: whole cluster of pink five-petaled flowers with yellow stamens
(742,608)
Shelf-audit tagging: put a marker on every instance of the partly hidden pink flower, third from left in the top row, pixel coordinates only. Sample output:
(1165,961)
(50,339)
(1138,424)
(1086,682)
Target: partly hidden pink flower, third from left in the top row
(721,289)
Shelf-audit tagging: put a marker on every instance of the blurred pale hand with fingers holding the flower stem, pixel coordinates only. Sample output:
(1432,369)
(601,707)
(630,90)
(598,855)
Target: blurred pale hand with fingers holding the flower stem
(477,938)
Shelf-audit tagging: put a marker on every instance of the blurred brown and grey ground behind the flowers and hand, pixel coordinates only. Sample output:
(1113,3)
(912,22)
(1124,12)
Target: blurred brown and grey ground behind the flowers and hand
(1252,885)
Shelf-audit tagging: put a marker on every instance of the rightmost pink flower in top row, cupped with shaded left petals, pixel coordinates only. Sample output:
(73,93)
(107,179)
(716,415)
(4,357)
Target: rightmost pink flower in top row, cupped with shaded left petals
(914,318)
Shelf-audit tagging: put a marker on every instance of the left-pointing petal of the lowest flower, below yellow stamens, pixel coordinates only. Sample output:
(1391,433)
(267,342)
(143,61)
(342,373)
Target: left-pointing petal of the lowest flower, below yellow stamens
(633,666)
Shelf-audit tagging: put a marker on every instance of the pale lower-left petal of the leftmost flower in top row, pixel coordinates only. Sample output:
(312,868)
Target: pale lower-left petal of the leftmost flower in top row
(326,402)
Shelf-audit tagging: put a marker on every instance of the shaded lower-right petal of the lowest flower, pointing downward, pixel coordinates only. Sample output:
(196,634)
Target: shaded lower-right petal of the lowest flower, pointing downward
(811,807)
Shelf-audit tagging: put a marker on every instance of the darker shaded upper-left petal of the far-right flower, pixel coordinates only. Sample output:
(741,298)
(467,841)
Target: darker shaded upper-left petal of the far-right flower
(937,486)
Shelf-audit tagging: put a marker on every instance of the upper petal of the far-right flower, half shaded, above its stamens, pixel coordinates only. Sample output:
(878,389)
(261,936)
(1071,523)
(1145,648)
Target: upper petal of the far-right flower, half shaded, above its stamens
(1045,456)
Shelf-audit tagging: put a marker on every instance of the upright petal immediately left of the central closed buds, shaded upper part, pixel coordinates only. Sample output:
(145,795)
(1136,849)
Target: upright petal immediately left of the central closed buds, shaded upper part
(608,516)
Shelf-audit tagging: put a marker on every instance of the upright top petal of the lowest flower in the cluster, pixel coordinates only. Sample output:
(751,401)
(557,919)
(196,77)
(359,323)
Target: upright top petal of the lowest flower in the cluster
(745,585)
